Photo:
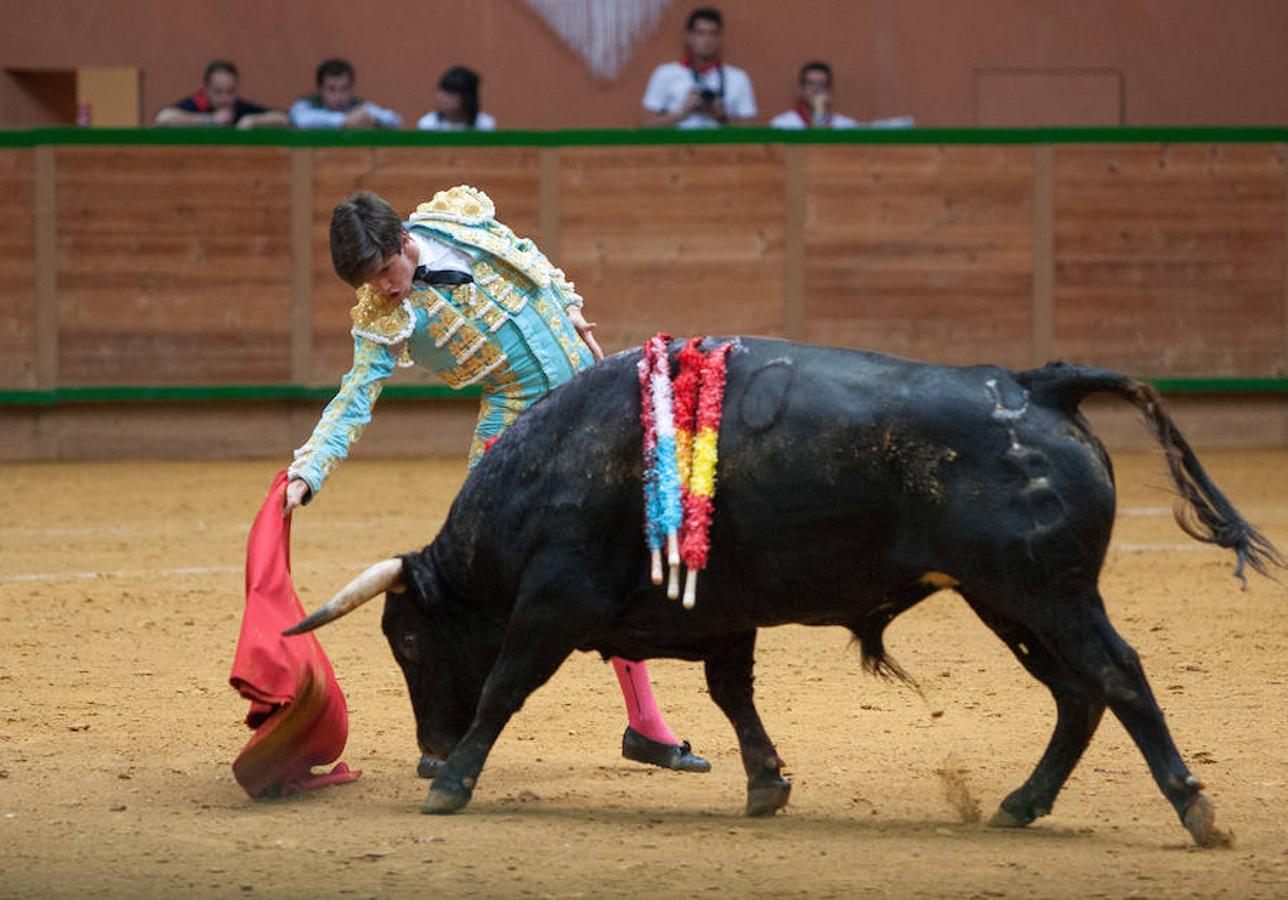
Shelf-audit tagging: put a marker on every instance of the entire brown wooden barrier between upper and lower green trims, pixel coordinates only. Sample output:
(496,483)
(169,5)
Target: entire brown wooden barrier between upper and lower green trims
(200,266)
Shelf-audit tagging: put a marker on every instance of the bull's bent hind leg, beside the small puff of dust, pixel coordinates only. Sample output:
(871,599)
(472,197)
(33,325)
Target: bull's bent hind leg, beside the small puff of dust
(1079,713)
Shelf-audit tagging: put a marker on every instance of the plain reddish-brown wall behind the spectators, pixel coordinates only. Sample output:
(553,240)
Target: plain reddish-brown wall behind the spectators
(1183,62)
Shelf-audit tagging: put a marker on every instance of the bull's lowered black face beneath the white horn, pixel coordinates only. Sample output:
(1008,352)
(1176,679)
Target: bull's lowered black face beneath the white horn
(444,693)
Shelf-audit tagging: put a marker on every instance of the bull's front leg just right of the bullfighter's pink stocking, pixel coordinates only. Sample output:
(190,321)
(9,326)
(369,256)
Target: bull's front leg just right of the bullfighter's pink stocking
(730,678)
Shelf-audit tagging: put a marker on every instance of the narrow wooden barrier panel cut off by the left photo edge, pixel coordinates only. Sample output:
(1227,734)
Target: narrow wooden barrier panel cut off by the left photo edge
(19,312)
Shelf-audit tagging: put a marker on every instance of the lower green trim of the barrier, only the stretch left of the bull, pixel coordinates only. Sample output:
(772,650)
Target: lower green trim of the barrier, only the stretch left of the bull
(203,393)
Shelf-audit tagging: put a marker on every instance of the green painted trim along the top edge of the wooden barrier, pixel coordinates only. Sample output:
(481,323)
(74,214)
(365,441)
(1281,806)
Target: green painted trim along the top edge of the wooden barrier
(638,137)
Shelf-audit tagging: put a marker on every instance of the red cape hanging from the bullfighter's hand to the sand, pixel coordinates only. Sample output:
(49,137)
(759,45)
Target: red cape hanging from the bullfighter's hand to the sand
(297,708)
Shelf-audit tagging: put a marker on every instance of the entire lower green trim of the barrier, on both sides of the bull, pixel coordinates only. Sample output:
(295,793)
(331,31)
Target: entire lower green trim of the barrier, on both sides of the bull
(203,393)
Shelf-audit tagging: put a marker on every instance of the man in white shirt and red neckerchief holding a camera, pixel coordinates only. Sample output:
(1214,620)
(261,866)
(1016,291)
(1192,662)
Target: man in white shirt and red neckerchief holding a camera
(700,91)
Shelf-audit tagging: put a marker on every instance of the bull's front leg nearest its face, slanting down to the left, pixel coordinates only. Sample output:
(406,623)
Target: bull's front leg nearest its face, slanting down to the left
(529,657)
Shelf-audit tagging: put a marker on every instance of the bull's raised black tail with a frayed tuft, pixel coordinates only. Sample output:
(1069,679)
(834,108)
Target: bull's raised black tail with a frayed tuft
(1204,512)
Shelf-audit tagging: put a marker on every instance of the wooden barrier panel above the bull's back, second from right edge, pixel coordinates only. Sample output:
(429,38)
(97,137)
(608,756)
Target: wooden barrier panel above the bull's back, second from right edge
(922,250)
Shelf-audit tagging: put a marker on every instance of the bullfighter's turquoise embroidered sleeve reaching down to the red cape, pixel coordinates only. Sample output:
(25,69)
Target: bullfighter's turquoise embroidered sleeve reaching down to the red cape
(346,417)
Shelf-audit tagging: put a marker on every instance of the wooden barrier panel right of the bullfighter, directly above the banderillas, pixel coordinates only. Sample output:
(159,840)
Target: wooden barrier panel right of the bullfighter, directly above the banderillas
(686,240)
